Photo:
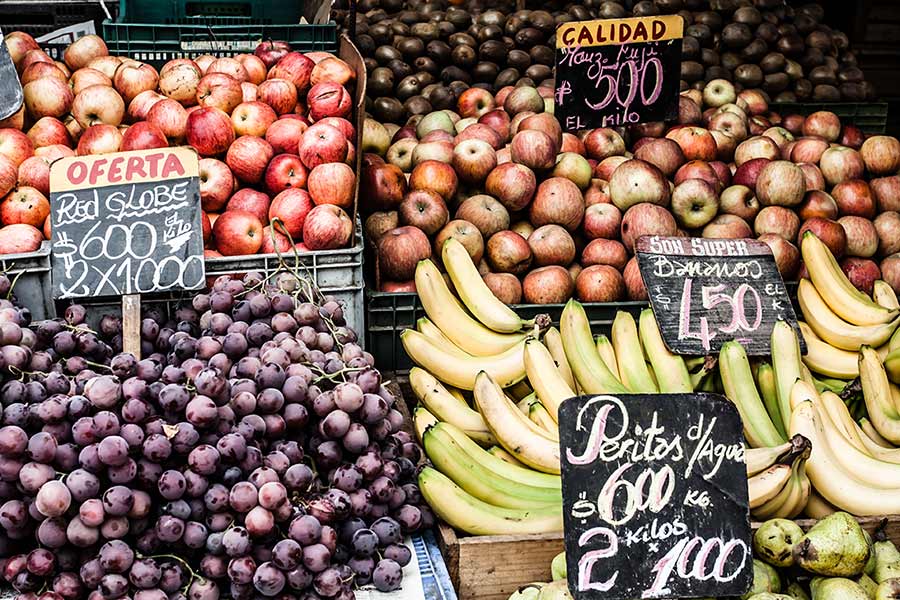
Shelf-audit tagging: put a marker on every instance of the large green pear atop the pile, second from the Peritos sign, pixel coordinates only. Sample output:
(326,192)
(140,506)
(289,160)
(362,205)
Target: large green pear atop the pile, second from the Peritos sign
(835,546)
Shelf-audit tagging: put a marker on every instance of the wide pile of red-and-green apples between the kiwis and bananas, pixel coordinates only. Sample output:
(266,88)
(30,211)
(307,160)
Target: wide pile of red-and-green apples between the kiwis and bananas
(548,215)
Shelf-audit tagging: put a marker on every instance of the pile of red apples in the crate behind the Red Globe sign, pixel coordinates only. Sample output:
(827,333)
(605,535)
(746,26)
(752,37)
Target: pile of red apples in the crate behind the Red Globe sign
(272,129)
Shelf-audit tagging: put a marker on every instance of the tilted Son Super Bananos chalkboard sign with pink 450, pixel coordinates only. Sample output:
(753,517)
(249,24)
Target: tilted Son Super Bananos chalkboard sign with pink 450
(705,292)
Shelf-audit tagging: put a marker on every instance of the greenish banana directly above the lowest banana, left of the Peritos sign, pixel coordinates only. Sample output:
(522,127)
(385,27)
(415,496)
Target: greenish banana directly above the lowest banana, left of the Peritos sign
(449,459)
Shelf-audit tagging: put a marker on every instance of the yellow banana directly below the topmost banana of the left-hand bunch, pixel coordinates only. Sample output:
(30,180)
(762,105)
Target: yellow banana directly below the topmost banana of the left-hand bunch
(455,323)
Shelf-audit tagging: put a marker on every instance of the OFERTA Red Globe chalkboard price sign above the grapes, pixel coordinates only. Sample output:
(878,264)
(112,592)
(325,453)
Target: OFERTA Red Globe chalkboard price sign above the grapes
(126,223)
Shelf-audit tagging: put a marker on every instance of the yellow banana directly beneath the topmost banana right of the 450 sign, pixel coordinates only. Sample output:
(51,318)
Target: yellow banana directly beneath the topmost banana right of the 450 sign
(832,329)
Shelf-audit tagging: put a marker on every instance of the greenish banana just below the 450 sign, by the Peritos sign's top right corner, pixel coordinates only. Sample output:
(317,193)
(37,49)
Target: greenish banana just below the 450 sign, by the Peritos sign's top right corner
(740,388)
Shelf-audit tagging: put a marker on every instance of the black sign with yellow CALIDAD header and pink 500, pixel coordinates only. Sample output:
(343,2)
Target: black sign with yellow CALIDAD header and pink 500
(618,72)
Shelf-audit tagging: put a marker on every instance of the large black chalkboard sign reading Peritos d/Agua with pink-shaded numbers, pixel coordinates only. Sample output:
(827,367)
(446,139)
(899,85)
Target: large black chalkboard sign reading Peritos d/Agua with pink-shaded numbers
(654,497)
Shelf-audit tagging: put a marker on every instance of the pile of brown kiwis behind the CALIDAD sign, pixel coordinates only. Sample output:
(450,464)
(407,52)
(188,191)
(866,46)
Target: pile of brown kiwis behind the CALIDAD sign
(421,56)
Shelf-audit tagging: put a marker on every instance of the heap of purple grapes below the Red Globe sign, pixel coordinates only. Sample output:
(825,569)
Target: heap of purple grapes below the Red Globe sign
(254,452)
